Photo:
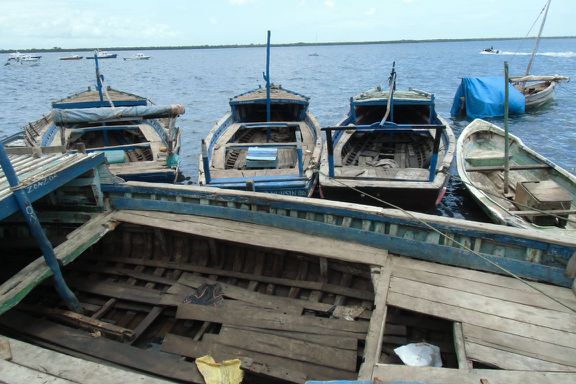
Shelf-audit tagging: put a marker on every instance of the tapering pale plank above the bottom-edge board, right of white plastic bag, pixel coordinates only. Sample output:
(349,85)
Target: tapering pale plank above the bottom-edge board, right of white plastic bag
(511,361)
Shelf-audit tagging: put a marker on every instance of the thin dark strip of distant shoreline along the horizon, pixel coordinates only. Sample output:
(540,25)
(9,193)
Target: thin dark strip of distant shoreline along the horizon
(58,49)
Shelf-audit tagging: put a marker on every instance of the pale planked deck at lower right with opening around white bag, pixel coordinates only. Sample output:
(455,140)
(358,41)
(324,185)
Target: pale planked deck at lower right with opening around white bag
(498,322)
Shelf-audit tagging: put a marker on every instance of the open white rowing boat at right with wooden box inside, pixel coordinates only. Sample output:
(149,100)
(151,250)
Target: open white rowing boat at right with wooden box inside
(541,194)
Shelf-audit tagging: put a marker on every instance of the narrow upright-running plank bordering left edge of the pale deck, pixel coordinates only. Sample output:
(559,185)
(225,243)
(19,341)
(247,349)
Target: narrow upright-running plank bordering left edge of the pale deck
(375,334)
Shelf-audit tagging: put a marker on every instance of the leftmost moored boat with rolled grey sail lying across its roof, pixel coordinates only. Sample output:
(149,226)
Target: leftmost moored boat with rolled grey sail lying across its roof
(141,140)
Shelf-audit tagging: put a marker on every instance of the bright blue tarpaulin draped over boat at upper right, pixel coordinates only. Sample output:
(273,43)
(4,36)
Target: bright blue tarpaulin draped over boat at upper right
(485,98)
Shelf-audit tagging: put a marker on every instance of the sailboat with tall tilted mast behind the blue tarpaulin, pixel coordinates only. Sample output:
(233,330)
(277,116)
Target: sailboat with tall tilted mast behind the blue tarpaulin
(537,90)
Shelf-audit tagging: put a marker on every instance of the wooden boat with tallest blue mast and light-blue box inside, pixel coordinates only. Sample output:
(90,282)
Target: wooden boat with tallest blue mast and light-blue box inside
(268,142)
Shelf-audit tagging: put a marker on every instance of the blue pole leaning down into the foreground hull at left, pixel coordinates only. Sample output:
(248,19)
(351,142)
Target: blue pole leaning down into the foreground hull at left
(36,229)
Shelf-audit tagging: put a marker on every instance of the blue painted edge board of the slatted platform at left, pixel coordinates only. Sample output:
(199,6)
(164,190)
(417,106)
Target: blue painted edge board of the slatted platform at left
(44,186)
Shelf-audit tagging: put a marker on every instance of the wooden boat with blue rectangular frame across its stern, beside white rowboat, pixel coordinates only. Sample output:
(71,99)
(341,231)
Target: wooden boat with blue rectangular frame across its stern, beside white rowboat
(392,145)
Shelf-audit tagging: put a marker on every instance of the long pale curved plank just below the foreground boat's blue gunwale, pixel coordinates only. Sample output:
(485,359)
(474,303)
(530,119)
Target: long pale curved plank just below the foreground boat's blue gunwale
(256,235)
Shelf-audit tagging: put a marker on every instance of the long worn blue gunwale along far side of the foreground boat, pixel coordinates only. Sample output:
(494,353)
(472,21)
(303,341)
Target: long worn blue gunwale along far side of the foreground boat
(555,253)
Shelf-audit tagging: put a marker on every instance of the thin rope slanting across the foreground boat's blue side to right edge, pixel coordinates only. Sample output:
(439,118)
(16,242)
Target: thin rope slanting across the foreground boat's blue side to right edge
(410,214)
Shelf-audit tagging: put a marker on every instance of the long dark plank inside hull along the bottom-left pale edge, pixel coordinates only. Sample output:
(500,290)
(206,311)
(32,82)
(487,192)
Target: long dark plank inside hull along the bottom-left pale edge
(122,354)
